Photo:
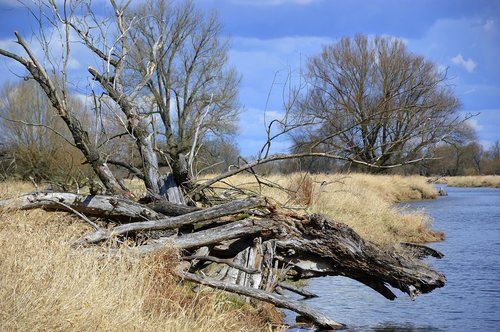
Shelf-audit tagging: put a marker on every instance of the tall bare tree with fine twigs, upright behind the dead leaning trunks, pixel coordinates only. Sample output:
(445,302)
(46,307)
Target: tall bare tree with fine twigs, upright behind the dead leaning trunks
(194,93)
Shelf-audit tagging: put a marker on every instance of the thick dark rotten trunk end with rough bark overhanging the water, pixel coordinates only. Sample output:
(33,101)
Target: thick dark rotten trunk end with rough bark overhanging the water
(320,247)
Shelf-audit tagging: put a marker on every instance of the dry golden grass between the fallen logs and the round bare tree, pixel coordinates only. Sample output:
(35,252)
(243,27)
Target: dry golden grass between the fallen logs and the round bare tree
(364,202)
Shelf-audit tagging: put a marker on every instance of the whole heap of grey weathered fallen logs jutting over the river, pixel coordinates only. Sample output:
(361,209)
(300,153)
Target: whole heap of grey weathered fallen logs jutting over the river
(249,248)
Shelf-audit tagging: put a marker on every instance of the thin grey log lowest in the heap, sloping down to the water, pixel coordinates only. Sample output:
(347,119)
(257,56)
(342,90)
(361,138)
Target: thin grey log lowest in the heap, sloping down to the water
(280,301)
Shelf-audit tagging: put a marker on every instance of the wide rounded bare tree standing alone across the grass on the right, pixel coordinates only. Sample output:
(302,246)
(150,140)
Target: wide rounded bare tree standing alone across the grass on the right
(373,100)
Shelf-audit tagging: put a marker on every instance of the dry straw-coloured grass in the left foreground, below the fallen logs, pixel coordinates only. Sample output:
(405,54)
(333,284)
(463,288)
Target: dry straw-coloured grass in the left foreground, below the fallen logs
(45,285)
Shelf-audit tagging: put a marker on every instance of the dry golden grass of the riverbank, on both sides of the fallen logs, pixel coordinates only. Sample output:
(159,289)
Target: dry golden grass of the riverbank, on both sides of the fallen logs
(47,285)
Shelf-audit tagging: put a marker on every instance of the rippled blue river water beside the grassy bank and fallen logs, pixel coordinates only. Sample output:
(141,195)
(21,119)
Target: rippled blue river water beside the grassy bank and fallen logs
(470,301)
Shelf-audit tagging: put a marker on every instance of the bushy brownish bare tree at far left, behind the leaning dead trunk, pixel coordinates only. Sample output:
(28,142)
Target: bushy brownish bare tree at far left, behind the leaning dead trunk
(36,139)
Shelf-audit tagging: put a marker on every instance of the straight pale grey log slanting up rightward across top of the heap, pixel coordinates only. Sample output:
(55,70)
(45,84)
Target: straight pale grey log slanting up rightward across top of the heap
(176,222)
